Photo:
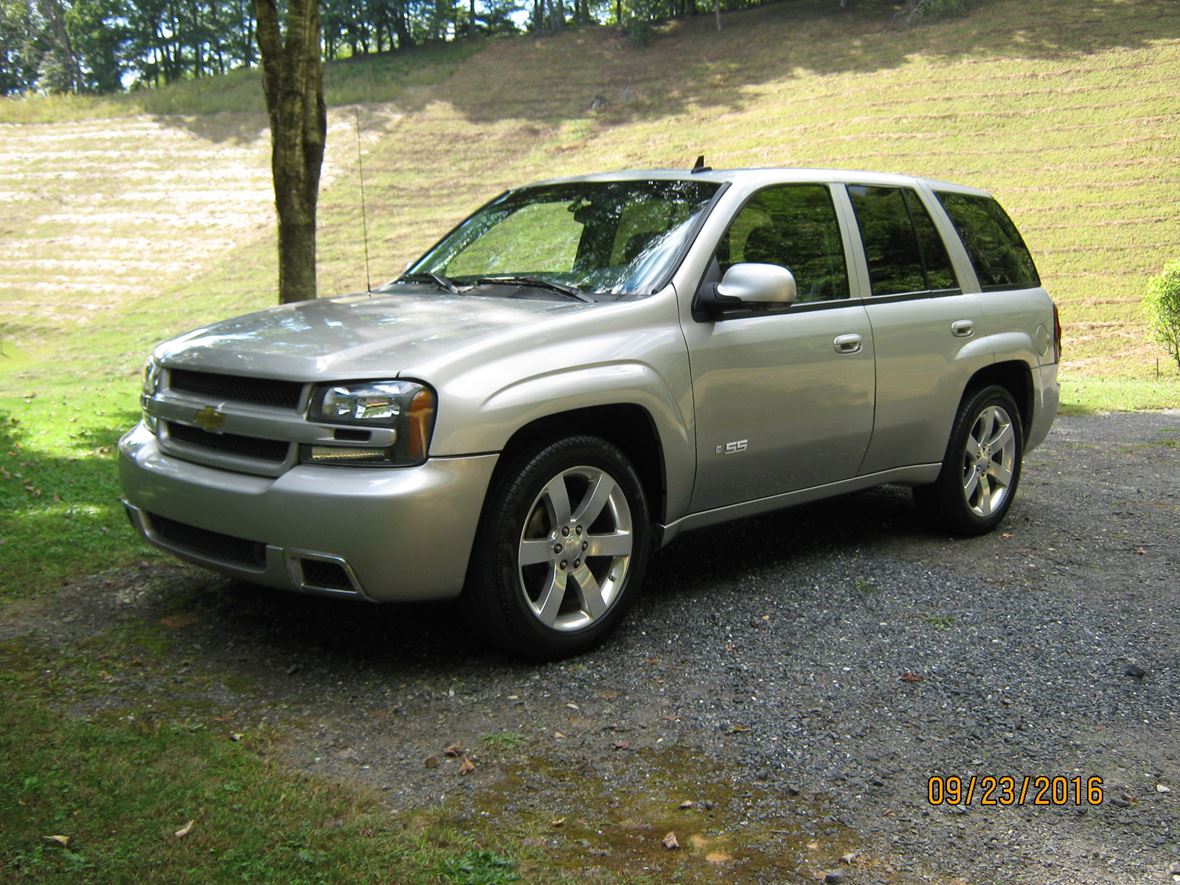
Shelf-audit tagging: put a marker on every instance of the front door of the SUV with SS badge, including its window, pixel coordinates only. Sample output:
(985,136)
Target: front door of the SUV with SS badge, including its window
(784,396)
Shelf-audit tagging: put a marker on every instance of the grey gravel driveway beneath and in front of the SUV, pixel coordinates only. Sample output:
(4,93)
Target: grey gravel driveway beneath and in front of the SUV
(792,681)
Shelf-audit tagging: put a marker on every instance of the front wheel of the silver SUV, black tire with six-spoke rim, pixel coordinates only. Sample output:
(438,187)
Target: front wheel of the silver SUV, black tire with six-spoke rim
(562,548)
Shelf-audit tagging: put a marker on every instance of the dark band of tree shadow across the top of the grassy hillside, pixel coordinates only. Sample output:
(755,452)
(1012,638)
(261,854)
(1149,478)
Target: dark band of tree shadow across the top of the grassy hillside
(552,80)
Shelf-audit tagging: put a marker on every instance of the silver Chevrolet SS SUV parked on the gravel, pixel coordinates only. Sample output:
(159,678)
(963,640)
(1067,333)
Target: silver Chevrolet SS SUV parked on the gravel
(586,369)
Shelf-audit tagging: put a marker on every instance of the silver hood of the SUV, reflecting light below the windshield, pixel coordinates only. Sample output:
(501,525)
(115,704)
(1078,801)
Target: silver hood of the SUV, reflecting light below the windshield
(357,336)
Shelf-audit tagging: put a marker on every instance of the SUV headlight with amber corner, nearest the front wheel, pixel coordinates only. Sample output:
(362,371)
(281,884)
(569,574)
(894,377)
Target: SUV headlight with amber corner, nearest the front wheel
(408,408)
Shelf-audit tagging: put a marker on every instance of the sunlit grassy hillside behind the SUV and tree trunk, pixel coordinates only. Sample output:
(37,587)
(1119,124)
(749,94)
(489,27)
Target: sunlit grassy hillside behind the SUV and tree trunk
(127,220)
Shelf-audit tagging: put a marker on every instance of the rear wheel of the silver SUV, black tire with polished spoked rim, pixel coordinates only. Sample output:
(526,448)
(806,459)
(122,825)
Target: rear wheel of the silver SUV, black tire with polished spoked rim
(981,469)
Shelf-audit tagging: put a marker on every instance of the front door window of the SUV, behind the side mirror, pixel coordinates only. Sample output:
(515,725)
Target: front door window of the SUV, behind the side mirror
(794,226)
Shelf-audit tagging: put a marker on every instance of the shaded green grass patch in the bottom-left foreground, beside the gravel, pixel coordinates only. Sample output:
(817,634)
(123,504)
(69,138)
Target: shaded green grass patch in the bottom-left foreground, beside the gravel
(121,783)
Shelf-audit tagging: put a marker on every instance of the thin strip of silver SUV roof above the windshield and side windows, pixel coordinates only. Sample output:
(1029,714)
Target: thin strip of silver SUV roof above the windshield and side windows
(762,176)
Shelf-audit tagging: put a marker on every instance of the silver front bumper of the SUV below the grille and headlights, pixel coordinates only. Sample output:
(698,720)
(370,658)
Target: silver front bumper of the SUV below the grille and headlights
(394,534)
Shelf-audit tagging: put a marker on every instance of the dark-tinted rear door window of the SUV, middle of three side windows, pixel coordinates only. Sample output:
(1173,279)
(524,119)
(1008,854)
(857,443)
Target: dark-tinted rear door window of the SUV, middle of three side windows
(902,245)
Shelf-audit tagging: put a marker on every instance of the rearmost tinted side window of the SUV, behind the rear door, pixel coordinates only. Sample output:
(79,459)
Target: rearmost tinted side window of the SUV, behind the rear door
(998,252)
